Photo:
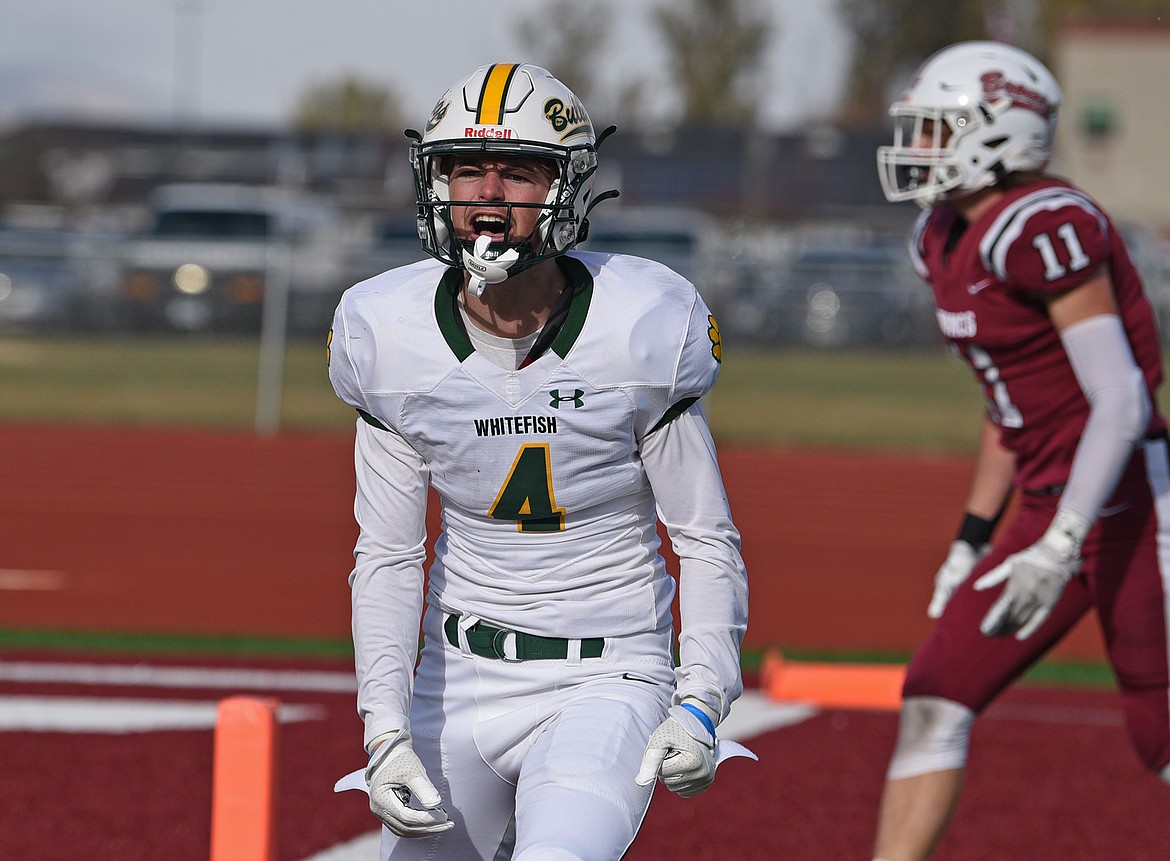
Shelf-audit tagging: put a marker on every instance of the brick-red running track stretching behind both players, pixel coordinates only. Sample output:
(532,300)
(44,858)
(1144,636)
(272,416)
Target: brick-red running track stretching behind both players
(173,532)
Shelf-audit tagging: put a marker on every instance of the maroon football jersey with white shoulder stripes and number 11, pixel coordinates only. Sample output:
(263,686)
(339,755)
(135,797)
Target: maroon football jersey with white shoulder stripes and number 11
(1044,238)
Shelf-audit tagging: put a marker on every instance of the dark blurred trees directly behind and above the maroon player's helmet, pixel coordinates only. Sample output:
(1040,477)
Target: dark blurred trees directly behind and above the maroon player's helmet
(892,38)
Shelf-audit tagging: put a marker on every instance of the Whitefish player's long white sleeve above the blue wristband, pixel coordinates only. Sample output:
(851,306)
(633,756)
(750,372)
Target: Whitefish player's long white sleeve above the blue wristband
(683,467)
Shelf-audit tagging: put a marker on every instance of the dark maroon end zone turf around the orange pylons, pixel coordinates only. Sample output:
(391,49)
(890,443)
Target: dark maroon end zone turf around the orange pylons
(1052,779)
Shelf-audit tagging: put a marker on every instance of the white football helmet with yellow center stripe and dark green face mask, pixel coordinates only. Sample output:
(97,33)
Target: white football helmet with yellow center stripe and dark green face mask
(511,109)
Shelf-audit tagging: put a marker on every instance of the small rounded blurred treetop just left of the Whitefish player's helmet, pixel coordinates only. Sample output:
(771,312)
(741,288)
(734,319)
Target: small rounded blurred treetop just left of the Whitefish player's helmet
(349,106)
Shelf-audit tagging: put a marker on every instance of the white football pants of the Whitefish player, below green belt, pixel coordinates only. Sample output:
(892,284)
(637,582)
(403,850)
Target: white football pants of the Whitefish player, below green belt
(535,761)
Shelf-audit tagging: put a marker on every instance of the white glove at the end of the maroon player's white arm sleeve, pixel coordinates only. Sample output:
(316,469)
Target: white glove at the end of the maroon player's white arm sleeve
(1036,577)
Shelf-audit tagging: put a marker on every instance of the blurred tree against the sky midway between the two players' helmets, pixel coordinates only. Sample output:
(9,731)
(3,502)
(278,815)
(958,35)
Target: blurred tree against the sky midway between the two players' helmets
(715,51)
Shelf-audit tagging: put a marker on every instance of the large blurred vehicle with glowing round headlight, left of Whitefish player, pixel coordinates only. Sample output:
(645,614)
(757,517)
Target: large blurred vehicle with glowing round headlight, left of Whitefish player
(215,253)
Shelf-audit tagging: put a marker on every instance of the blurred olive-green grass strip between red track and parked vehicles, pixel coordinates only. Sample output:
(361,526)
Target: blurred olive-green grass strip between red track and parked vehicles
(777,397)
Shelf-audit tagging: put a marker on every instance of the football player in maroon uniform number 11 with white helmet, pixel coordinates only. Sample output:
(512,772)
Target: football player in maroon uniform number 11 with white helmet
(1036,291)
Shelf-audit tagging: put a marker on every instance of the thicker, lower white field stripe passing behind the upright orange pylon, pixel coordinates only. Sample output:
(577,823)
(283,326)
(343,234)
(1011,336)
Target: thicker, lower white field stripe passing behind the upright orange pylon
(119,715)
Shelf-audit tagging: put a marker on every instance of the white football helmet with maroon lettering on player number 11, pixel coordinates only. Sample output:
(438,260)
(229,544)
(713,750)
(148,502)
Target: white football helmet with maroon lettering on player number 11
(973,114)
